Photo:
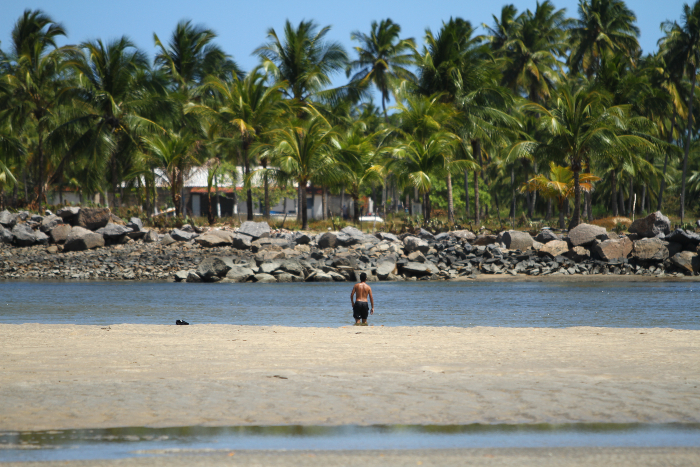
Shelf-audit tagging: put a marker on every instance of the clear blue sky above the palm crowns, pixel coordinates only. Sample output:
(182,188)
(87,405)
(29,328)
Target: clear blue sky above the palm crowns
(242,26)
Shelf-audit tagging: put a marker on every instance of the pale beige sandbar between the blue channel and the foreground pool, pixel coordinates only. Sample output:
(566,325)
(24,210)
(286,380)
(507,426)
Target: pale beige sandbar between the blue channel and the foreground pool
(70,376)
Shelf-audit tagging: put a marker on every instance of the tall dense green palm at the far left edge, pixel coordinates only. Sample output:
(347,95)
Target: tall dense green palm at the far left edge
(35,75)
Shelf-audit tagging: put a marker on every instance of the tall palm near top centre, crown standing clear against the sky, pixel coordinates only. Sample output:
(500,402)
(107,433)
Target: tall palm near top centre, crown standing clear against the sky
(383,57)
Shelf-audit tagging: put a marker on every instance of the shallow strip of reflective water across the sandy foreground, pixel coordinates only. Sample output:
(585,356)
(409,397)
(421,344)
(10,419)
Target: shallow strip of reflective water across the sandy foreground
(128,442)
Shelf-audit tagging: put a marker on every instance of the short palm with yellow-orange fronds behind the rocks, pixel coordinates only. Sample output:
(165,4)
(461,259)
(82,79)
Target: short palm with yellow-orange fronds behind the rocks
(559,186)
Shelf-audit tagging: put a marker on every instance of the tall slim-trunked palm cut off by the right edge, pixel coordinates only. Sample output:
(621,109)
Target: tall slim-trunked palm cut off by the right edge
(681,48)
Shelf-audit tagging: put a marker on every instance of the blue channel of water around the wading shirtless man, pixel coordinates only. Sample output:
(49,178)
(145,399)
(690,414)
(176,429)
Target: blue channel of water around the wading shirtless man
(536,304)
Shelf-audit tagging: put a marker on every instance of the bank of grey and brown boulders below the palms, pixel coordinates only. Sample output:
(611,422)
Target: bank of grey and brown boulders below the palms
(92,244)
